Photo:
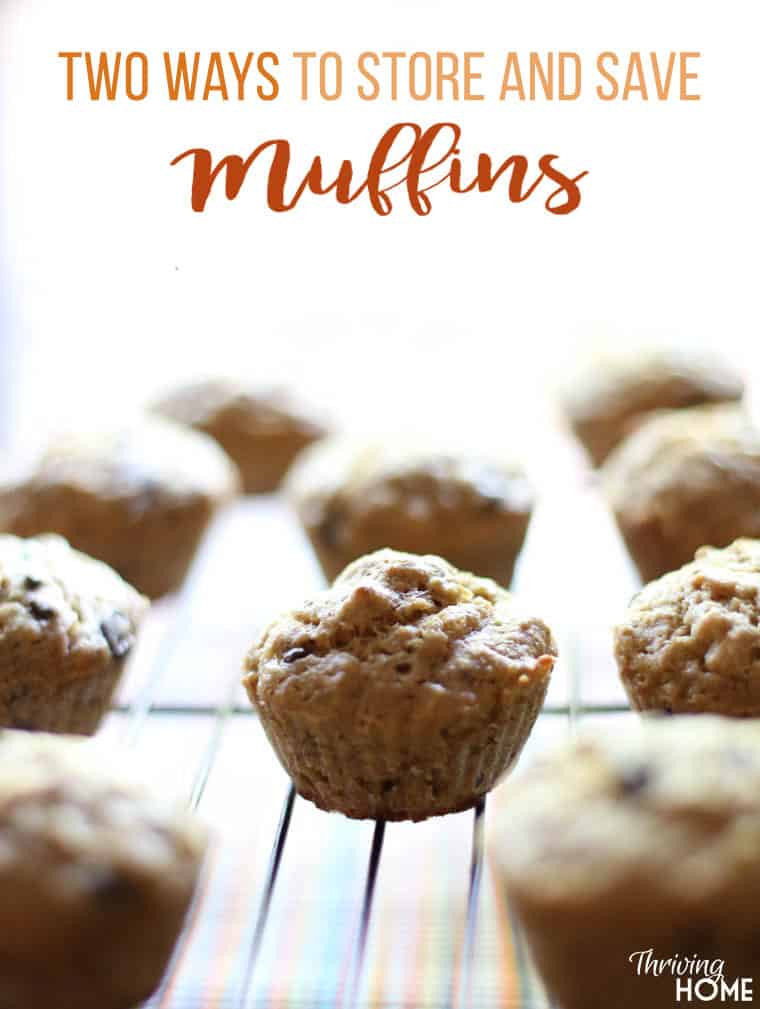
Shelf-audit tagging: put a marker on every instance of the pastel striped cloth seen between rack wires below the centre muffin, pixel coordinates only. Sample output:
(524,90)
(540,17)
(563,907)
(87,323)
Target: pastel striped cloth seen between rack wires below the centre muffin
(418,919)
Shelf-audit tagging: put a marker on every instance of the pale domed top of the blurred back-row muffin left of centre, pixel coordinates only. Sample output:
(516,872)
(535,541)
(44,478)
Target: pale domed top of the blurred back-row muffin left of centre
(216,403)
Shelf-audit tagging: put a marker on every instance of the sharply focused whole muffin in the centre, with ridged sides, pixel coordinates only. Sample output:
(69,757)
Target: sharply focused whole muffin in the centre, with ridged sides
(404,692)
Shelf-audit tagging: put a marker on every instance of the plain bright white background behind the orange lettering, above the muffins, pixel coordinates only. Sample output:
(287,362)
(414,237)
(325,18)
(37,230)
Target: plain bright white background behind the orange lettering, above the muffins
(466,317)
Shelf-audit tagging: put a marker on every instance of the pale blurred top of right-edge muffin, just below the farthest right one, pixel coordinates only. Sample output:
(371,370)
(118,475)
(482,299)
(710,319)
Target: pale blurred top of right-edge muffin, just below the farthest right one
(681,454)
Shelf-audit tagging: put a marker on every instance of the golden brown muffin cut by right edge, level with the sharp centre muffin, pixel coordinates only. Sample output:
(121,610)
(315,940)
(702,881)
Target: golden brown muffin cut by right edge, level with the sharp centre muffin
(691,641)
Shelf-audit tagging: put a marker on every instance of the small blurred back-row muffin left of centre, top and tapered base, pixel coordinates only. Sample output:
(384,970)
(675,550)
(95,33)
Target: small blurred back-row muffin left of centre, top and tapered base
(262,430)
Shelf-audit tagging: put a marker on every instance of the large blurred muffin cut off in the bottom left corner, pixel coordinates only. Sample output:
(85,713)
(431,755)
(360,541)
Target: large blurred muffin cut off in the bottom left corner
(97,876)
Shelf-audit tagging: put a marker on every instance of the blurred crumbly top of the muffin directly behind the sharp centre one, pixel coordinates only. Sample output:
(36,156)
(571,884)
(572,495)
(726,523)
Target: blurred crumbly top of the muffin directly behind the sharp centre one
(348,481)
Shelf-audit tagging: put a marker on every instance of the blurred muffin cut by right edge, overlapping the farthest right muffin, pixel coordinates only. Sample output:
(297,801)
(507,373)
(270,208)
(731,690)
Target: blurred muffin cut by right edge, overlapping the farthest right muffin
(686,480)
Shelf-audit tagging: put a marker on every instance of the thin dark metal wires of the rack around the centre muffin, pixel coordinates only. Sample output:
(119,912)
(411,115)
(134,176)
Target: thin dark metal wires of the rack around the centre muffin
(145,707)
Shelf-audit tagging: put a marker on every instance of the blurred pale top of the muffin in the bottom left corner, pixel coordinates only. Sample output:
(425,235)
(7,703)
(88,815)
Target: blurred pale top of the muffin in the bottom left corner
(75,830)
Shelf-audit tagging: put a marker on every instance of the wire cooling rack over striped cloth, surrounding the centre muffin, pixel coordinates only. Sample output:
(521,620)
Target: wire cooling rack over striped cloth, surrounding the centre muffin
(304,911)
